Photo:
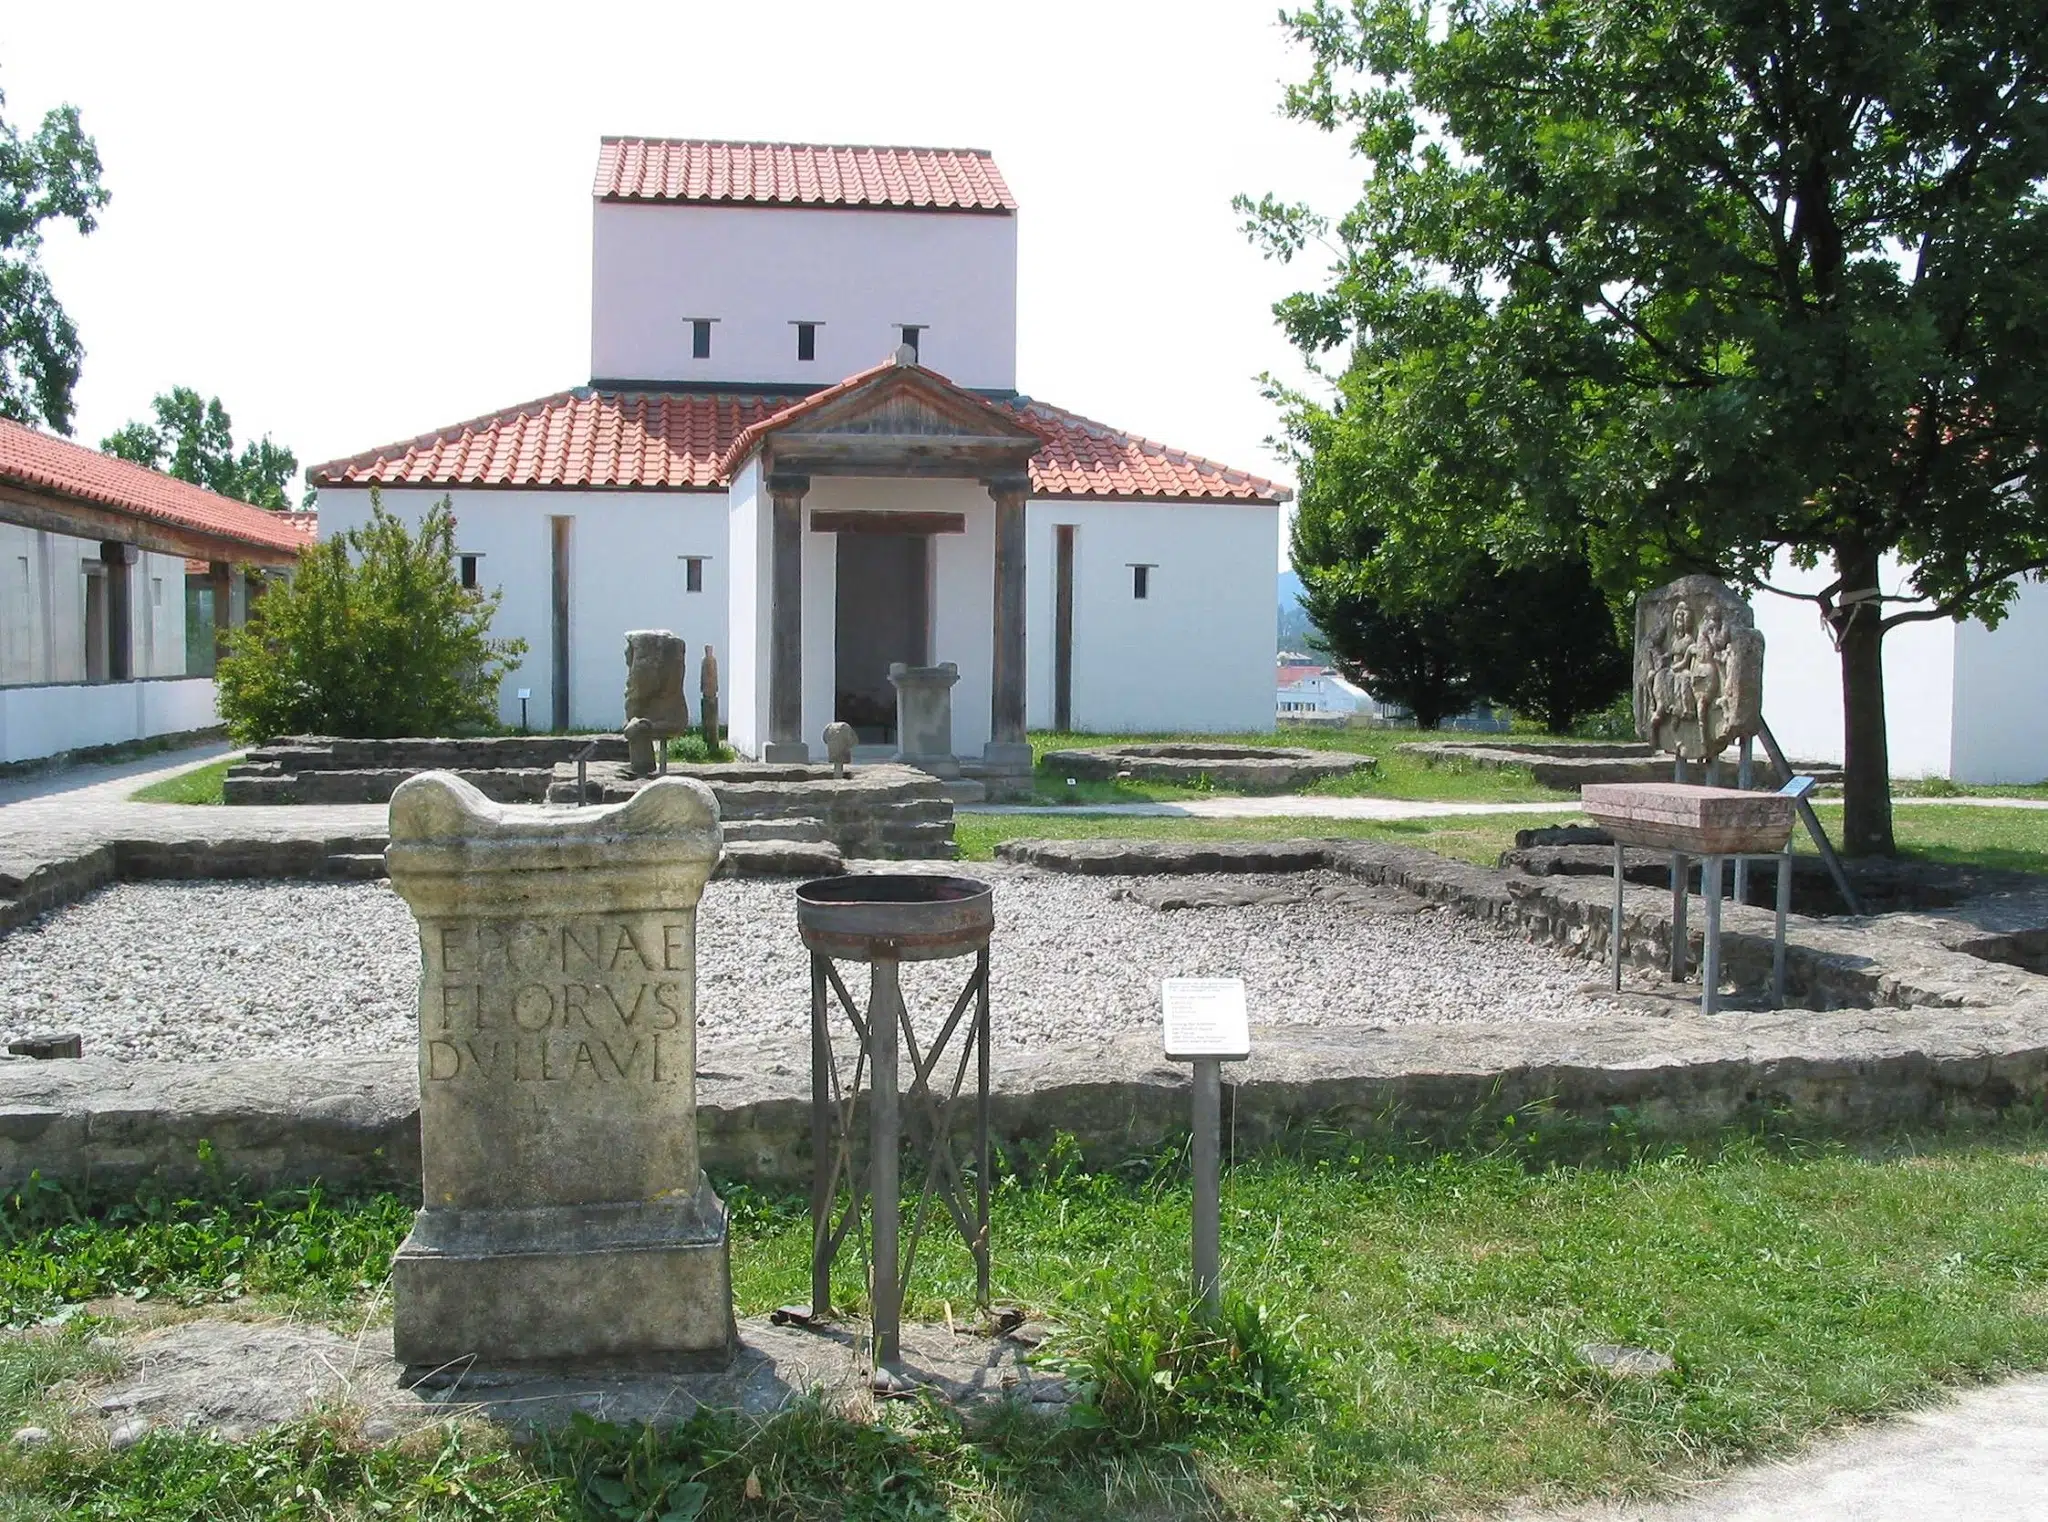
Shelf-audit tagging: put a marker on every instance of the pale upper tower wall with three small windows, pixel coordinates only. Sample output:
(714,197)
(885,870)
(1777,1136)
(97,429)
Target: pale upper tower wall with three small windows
(761,269)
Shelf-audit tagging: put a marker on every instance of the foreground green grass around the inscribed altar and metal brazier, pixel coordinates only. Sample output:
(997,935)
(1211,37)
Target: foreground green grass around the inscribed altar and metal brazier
(1416,1341)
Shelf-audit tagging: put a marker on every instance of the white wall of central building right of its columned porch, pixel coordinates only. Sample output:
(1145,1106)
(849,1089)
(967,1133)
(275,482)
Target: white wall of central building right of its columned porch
(1197,654)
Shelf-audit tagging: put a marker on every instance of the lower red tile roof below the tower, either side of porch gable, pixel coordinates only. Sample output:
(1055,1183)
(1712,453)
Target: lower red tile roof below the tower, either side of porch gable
(681,439)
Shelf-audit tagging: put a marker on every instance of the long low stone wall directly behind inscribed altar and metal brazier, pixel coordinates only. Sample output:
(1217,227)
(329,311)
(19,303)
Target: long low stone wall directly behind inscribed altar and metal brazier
(97,1122)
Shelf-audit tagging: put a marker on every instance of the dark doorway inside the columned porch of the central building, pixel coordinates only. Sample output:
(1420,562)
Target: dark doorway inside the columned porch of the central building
(884,616)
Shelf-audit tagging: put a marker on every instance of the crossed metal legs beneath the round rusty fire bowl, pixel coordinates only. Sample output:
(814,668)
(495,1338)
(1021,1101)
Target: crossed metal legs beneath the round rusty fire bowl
(873,1183)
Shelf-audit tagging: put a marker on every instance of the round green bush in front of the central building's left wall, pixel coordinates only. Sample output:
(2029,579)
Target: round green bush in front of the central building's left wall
(374,636)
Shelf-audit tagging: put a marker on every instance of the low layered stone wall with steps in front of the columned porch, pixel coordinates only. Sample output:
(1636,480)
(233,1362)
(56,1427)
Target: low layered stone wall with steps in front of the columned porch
(873,812)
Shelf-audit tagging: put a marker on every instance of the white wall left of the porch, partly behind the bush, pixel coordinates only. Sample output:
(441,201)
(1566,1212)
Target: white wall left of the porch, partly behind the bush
(626,573)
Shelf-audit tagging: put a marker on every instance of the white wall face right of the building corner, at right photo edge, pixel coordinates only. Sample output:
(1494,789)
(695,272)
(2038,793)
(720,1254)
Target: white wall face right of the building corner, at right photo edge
(2002,695)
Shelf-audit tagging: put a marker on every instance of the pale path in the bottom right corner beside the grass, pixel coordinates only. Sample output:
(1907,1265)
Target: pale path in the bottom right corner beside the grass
(1981,1457)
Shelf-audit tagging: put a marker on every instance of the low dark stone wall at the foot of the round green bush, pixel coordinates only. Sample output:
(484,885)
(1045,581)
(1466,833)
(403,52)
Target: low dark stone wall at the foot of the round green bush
(316,769)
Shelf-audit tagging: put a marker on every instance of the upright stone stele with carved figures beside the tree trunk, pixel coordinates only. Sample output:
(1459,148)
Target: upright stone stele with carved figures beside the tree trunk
(1699,669)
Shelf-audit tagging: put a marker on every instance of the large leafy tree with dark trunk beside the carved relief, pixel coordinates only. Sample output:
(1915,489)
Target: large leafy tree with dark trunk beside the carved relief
(1693,284)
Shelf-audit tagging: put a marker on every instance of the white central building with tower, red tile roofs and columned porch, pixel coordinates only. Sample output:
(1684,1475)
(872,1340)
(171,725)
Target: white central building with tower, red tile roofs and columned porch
(744,472)
